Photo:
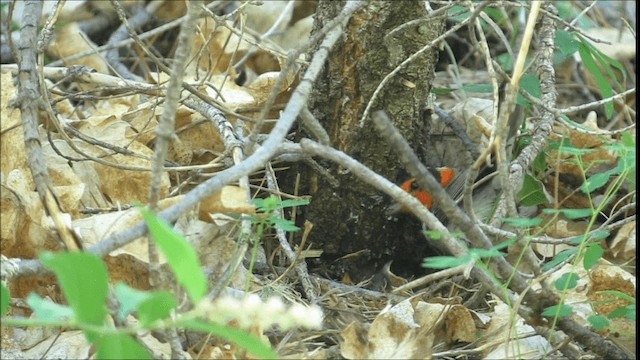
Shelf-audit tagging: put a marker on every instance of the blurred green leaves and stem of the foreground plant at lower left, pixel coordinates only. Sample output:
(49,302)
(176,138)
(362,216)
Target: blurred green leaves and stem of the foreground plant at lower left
(84,279)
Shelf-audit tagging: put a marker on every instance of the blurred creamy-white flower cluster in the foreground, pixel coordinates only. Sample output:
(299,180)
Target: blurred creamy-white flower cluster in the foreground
(251,311)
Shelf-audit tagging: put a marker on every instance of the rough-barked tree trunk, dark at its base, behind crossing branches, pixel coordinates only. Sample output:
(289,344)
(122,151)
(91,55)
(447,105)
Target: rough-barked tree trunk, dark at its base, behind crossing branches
(351,218)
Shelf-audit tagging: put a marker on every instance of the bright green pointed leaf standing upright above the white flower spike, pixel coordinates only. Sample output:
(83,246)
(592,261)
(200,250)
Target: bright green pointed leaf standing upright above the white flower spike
(182,258)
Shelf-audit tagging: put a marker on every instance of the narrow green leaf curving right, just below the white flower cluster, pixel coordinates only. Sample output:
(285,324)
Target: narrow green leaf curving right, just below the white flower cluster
(243,339)
